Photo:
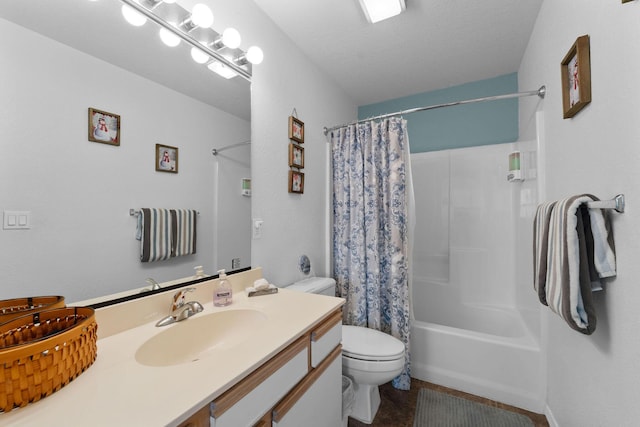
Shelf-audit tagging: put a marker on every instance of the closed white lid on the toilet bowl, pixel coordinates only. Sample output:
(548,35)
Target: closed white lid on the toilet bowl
(369,344)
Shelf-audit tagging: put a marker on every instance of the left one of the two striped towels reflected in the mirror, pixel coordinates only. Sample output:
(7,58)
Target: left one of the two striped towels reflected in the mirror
(155,242)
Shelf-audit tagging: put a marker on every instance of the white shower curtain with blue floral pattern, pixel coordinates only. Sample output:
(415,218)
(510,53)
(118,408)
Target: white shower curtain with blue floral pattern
(371,183)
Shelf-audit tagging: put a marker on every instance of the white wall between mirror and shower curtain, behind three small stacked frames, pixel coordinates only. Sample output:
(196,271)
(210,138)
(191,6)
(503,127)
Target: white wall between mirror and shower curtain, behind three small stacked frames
(294,224)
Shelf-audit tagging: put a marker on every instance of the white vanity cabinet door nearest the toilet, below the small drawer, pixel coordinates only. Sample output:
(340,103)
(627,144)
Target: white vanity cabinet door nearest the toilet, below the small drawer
(317,400)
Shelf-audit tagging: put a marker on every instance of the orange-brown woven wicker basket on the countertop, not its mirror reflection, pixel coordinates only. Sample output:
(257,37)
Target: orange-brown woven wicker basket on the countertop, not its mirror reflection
(41,352)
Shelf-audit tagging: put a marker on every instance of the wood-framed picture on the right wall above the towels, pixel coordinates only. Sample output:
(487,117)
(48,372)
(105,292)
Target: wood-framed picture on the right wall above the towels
(576,77)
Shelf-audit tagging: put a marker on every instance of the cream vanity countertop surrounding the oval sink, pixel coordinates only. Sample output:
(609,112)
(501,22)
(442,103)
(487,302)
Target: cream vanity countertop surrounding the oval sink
(117,390)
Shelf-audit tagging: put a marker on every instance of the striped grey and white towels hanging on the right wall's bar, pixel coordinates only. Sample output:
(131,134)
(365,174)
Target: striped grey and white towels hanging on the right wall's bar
(580,251)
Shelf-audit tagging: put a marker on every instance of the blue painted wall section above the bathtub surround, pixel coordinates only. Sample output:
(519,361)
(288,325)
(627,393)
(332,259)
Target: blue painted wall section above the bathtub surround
(482,123)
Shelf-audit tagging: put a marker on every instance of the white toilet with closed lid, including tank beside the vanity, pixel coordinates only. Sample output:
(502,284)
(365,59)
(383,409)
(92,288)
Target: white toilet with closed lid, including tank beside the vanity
(369,357)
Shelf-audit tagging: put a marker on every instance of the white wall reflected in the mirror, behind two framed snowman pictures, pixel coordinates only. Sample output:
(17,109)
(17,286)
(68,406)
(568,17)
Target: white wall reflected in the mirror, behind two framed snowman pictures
(82,243)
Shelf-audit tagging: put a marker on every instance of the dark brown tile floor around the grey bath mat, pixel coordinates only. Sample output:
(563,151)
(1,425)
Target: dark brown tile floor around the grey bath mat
(397,407)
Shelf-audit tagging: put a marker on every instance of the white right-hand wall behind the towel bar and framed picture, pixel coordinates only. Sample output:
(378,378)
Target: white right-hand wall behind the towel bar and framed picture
(592,380)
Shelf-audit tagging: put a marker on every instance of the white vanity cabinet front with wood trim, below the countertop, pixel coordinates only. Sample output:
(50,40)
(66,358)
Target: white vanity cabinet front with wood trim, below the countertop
(302,385)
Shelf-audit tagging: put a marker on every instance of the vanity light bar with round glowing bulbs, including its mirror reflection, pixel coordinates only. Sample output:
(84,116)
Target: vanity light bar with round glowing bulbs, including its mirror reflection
(221,52)
